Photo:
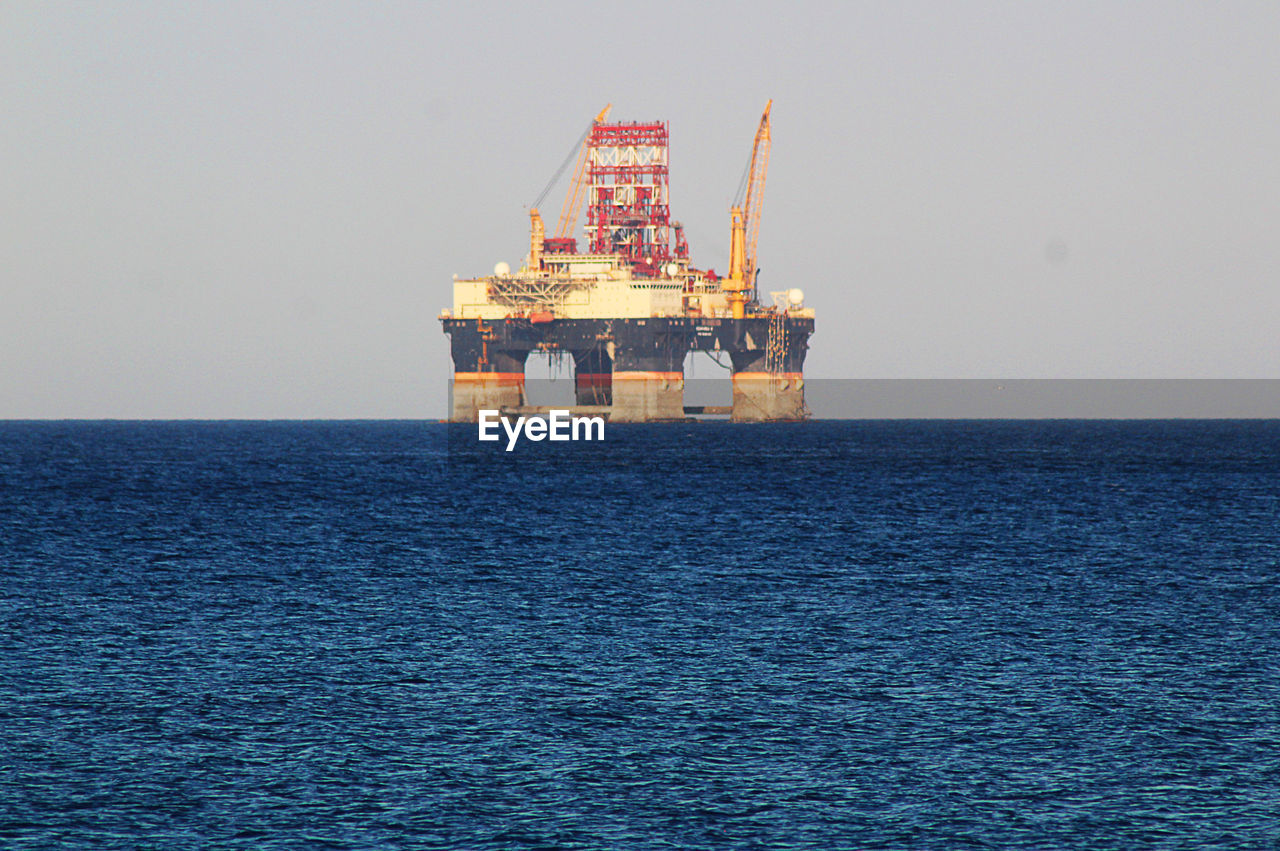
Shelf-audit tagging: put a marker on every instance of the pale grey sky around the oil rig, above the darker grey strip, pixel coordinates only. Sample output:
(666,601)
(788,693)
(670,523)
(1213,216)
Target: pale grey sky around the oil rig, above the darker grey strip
(255,211)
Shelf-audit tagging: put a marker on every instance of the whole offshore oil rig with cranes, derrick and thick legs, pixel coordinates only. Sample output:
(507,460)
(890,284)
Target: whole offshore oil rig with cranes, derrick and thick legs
(632,306)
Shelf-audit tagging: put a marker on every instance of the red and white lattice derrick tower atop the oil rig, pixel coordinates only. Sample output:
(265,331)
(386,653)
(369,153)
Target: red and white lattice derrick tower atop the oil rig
(628,212)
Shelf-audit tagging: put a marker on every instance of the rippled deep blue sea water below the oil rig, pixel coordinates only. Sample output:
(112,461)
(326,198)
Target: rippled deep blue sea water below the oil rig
(367,635)
